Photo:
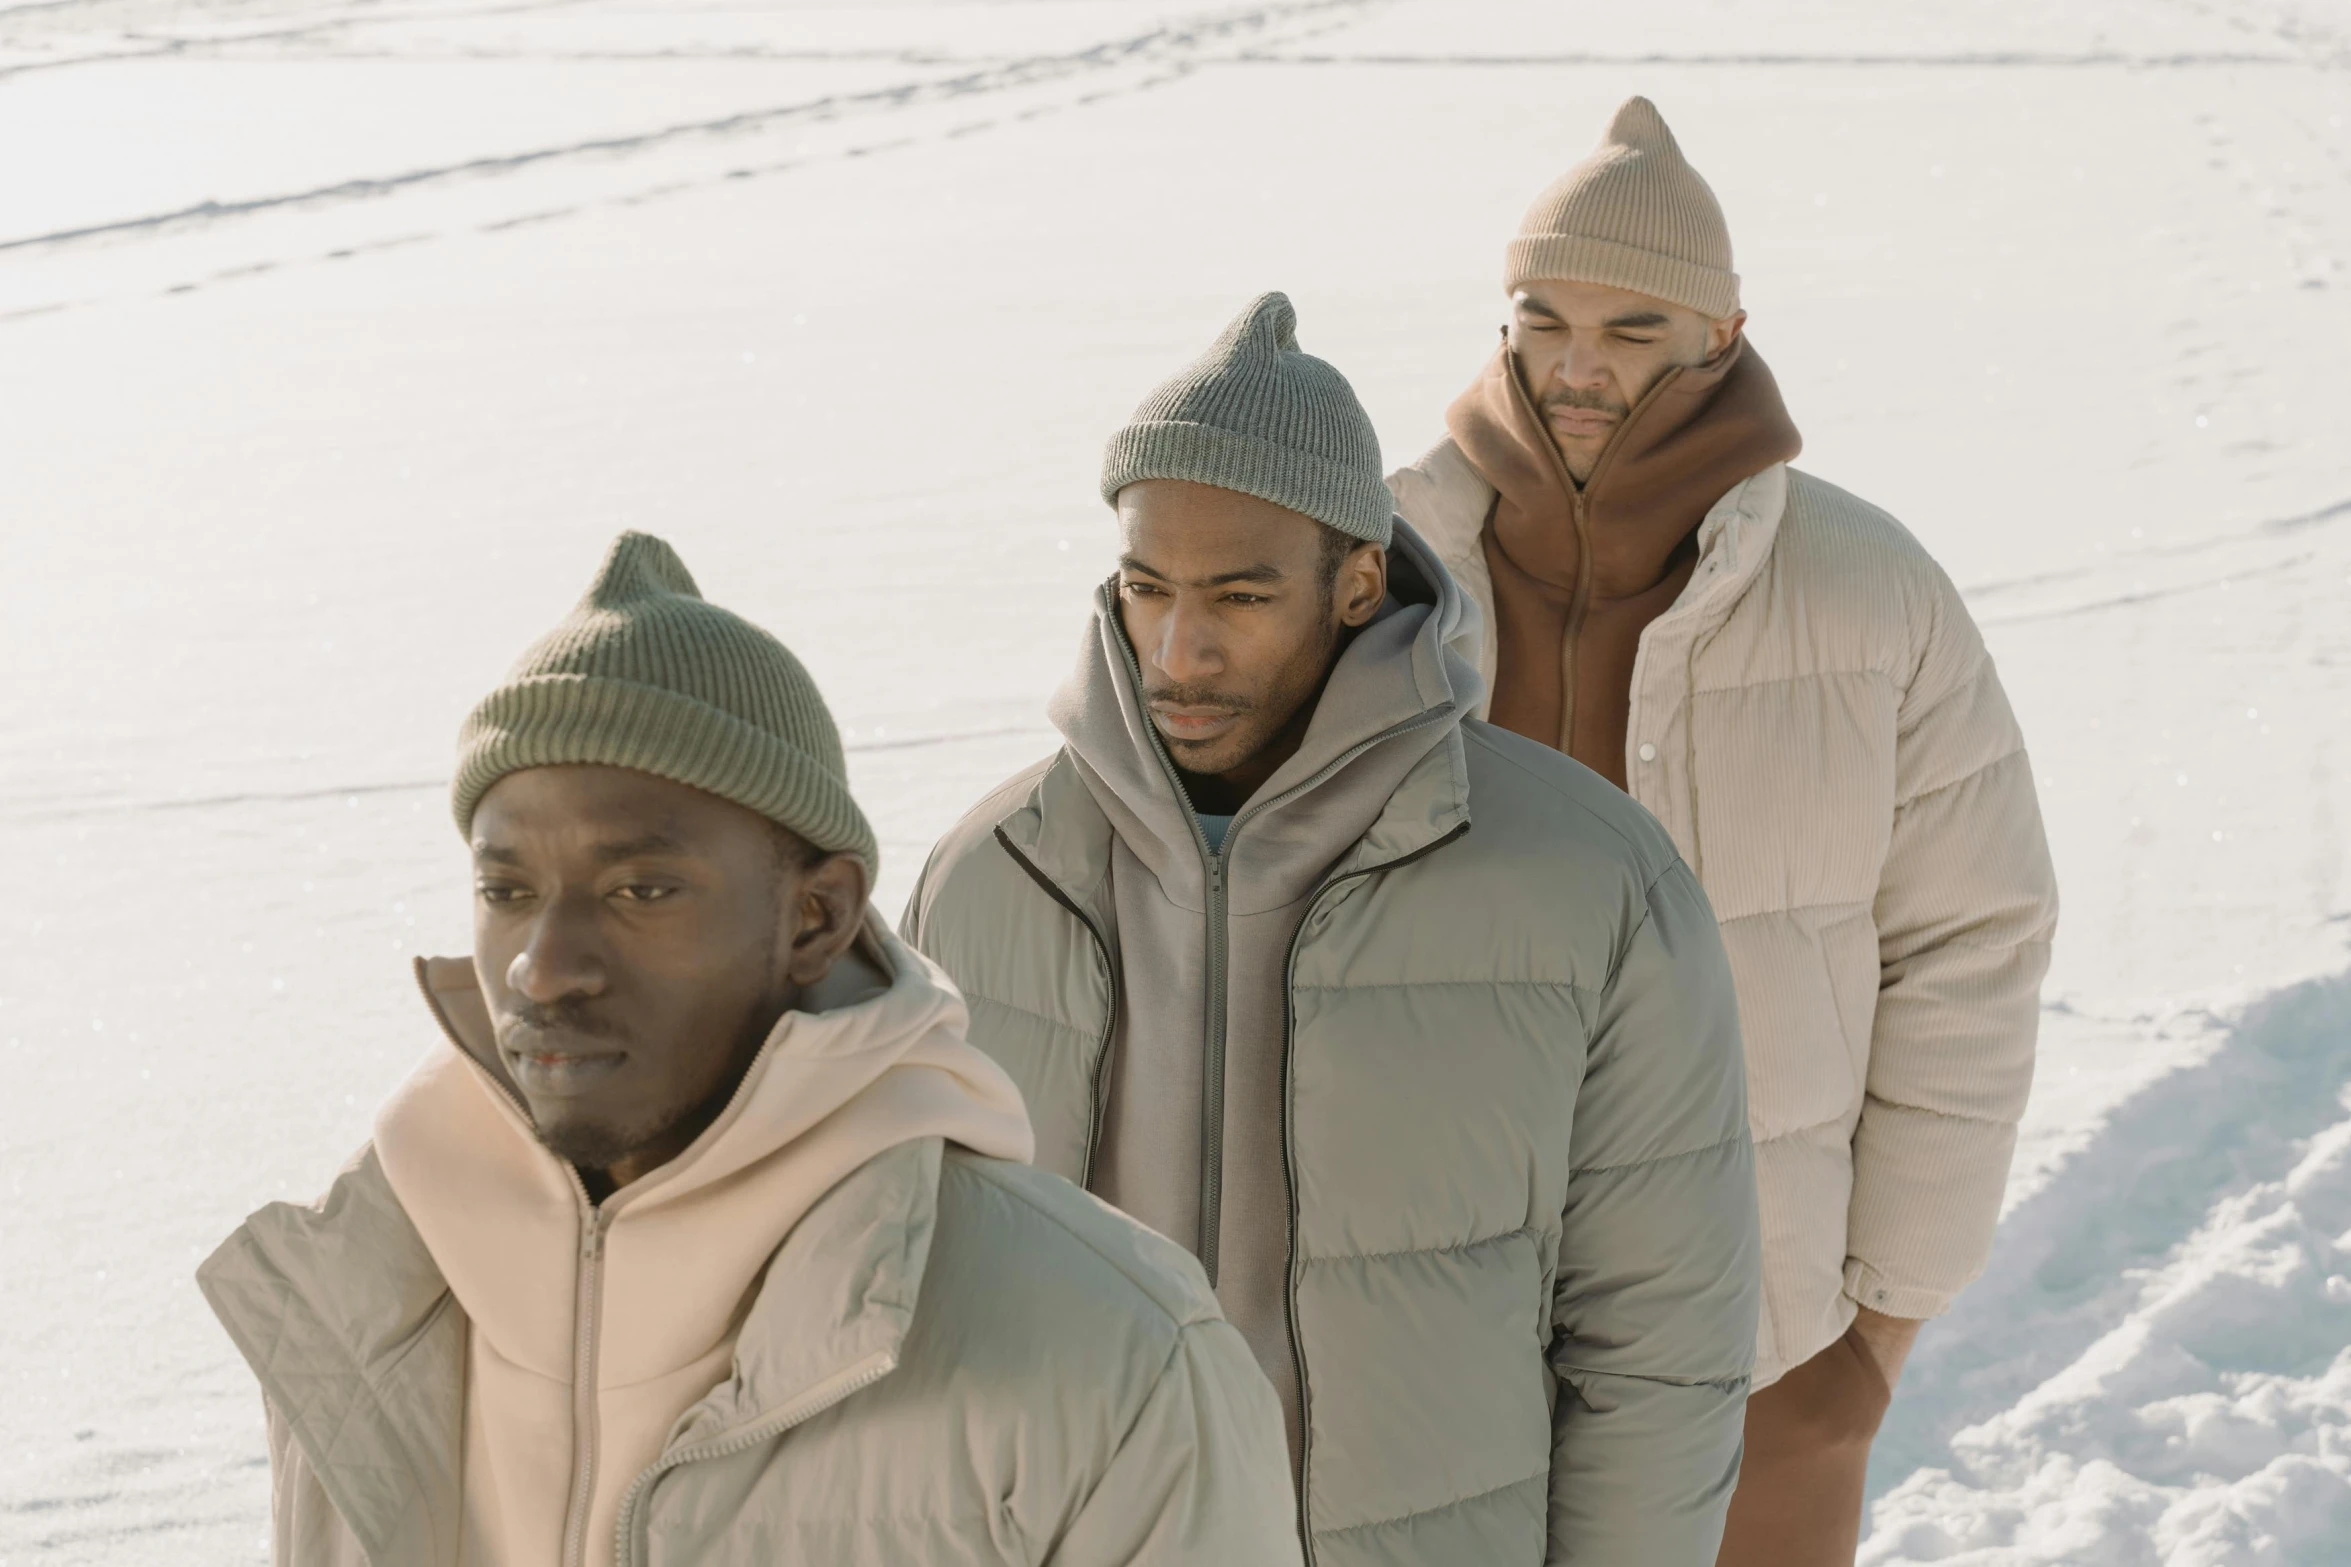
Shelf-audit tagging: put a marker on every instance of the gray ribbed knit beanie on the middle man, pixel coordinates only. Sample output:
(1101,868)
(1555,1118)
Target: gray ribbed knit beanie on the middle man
(1266,419)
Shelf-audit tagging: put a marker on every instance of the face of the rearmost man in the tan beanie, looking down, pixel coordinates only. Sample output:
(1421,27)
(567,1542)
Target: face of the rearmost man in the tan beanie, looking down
(1590,354)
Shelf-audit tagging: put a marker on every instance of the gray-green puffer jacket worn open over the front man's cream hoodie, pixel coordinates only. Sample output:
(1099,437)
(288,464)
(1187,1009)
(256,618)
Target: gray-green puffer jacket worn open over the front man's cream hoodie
(951,1359)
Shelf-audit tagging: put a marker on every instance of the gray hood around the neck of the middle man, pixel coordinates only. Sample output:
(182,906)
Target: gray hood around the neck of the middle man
(1395,697)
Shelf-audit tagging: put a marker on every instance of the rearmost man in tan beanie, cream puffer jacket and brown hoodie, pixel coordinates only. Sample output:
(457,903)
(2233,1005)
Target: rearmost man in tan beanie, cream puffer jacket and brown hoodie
(1795,690)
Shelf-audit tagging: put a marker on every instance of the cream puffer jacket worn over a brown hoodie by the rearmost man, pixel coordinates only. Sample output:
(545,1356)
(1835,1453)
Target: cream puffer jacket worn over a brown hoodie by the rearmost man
(1818,725)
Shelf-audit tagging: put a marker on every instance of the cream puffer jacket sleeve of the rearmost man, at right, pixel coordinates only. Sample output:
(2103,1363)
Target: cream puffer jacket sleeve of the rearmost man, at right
(1967,910)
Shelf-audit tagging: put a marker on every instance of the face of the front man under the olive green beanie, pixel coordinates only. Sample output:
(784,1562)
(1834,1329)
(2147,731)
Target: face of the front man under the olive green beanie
(636,943)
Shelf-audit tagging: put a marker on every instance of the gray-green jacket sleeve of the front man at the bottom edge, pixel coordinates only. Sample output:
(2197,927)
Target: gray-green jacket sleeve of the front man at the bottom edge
(1203,1479)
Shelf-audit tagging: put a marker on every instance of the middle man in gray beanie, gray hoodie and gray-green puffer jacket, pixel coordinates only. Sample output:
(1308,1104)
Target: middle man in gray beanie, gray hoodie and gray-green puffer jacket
(1414,1030)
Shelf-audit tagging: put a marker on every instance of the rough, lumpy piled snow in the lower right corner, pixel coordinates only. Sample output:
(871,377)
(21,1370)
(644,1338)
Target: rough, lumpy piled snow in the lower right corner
(2209,1423)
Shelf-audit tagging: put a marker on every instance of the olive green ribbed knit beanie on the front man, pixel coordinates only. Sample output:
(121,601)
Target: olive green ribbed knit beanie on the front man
(648,675)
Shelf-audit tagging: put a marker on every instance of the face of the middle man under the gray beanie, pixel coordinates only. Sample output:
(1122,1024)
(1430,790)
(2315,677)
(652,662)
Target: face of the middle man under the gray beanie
(1235,610)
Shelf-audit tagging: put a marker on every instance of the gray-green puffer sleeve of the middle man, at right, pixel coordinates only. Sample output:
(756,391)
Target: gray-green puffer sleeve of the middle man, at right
(1659,1258)
